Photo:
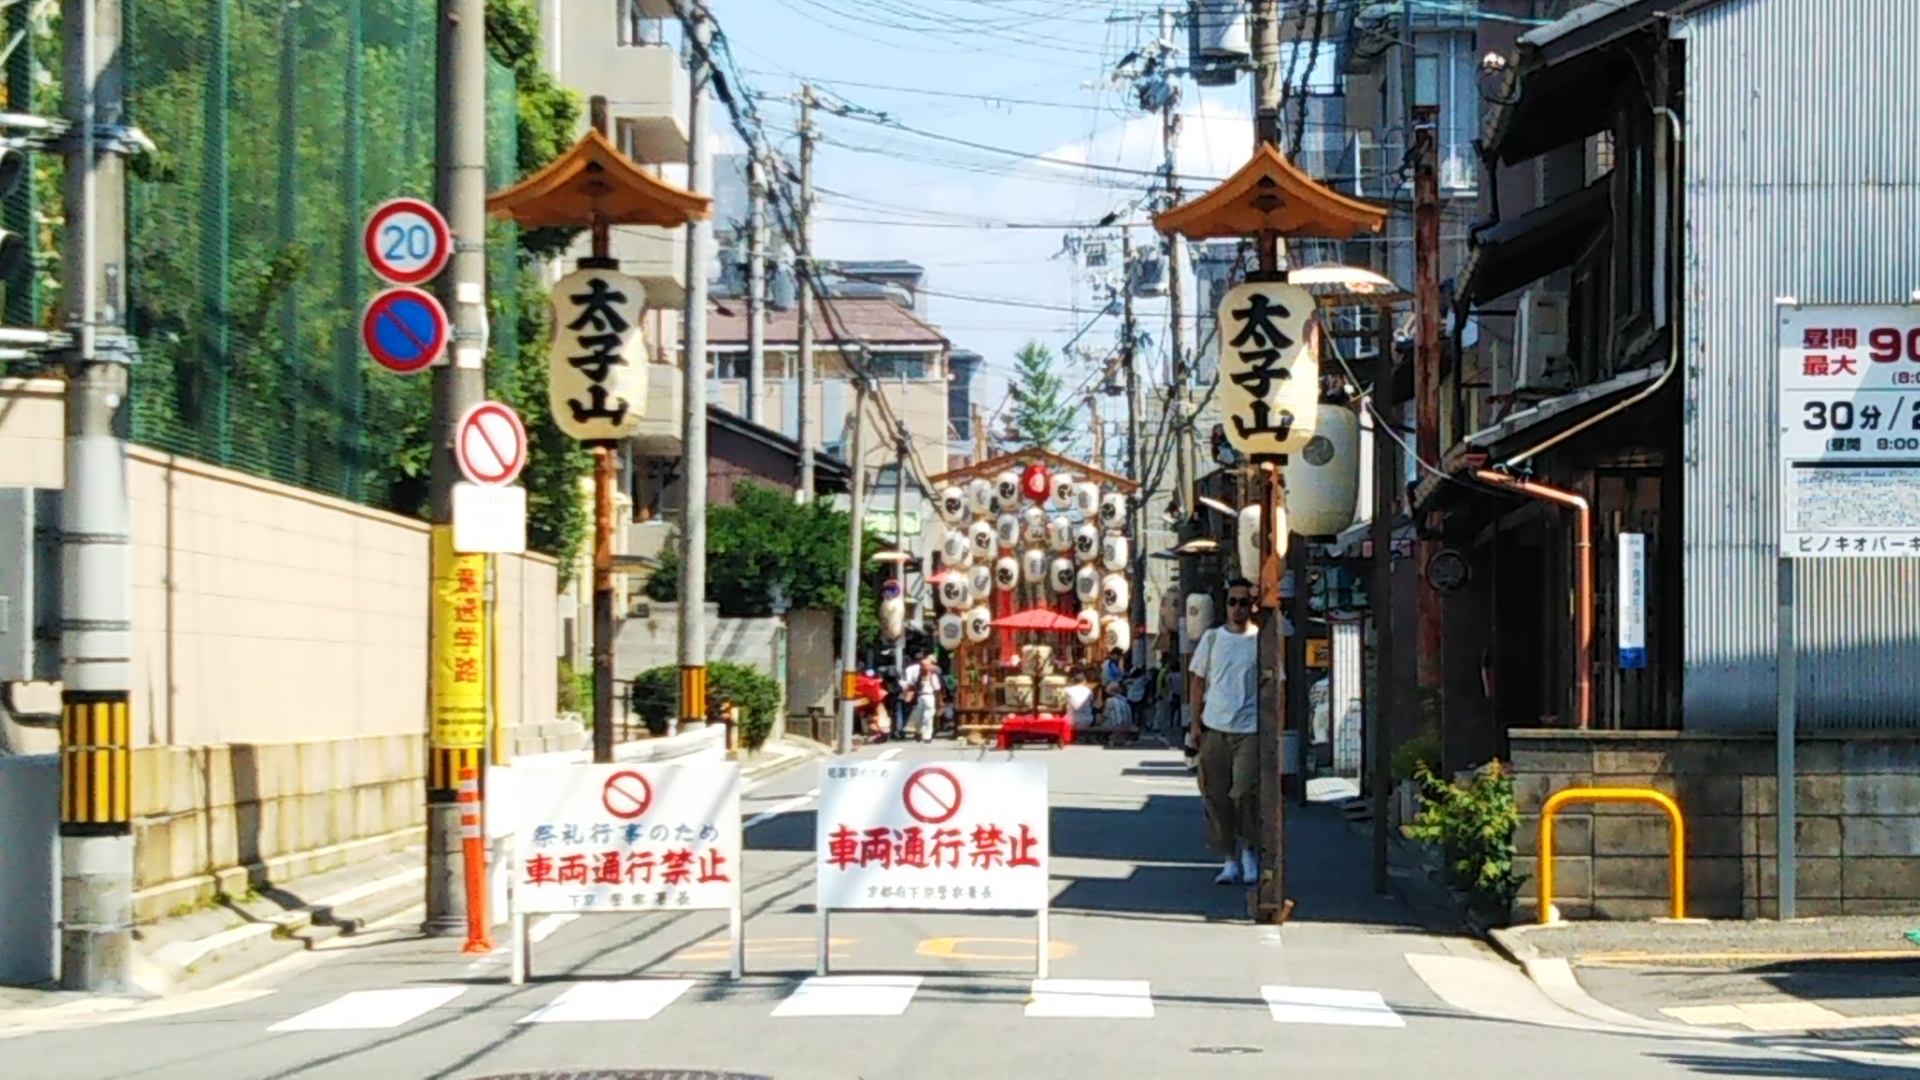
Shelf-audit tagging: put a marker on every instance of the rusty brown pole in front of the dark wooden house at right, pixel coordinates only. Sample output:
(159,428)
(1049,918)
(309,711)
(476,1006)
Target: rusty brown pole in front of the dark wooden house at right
(1428,364)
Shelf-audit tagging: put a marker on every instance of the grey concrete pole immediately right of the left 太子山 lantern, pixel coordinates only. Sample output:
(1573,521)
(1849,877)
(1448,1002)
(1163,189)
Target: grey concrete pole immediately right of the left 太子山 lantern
(694,385)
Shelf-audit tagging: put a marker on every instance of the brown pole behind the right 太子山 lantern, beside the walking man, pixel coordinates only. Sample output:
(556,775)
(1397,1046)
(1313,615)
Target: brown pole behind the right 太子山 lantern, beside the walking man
(1270,895)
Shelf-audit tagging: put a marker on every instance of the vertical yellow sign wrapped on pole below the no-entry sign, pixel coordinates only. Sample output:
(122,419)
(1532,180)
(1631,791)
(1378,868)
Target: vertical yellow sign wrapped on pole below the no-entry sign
(460,647)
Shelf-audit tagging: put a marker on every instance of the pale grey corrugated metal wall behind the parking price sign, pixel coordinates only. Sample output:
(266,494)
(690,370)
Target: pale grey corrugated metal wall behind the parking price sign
(1802,178)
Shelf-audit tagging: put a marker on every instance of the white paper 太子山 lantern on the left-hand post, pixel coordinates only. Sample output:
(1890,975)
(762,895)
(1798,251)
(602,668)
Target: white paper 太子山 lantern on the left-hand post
(598,360)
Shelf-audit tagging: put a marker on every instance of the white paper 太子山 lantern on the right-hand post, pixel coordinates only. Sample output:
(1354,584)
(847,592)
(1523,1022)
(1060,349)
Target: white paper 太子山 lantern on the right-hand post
(1268,368)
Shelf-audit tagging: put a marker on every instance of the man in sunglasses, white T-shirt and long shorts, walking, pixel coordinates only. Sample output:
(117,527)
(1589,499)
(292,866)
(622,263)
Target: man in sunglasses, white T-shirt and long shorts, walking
(1226,724)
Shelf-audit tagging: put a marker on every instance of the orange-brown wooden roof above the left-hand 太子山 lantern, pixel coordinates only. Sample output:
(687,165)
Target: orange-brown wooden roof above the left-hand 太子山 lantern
(596,182)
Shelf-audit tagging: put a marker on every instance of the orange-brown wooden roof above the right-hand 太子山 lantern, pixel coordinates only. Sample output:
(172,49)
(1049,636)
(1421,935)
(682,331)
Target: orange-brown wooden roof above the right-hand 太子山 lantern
(1272,195)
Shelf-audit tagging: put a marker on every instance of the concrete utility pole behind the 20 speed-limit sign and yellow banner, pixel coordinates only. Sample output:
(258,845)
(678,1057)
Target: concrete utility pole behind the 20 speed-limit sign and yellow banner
(460,191)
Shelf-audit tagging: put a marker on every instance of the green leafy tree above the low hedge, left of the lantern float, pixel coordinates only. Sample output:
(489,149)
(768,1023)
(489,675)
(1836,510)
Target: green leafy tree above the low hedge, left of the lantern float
(767,541)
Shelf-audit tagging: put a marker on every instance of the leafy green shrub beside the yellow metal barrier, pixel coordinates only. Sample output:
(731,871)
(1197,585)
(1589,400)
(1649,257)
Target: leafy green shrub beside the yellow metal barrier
(1474,823)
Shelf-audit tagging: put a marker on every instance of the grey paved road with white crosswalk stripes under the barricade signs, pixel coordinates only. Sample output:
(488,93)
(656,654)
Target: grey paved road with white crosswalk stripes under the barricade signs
(1157,973)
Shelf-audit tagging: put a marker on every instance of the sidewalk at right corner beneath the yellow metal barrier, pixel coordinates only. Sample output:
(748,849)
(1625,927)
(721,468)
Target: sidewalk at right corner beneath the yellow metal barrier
(1852,981)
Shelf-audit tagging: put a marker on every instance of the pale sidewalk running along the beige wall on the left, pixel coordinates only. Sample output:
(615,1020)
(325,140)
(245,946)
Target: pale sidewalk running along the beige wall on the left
(239,935)
